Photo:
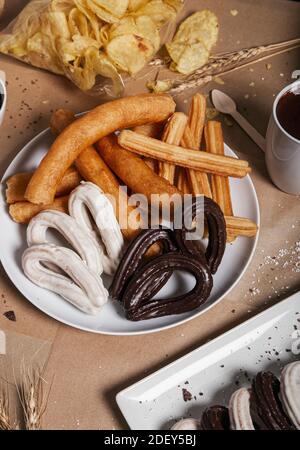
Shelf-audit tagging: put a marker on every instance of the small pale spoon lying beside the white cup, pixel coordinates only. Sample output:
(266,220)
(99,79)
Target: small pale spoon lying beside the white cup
(223,103)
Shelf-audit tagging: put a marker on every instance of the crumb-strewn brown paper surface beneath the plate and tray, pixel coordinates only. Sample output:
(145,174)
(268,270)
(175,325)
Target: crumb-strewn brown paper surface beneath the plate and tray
(90,369)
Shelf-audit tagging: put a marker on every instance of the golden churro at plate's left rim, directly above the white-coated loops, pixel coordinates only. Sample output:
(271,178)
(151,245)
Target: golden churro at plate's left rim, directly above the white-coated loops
(23,212)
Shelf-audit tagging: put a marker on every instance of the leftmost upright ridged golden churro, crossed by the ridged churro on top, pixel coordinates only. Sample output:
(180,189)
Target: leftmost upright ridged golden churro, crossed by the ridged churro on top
(172,134)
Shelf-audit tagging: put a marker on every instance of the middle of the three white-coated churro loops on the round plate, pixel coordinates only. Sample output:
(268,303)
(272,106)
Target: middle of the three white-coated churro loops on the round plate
(81,241)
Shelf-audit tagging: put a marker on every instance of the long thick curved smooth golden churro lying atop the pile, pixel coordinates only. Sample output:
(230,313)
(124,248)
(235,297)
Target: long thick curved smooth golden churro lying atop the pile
(85,131)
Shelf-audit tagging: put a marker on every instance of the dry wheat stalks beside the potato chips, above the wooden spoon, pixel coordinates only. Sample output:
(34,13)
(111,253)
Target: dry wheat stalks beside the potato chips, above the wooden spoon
(228,62)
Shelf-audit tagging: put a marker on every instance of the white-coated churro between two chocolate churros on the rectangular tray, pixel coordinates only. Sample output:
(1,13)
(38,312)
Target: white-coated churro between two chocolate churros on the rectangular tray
(239,410)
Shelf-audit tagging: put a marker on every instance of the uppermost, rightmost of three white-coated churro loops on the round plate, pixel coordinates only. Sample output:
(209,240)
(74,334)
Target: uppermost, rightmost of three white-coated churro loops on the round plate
(90,197)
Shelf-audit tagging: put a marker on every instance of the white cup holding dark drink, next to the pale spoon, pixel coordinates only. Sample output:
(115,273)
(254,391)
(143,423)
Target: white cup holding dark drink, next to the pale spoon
(283,150)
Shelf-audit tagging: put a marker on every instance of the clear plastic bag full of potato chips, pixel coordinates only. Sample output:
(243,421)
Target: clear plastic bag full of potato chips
(97,44)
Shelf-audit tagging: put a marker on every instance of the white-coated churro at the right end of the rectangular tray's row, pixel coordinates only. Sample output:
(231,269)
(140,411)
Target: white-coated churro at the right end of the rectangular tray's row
(290,391)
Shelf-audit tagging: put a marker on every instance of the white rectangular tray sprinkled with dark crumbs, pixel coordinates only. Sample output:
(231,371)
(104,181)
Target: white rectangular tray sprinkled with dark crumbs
(212,372)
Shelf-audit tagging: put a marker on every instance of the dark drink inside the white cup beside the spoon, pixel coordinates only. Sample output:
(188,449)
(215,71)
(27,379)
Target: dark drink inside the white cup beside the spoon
(288,113)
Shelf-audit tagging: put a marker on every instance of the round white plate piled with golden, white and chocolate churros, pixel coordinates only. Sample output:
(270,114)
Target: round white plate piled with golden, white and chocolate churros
(130,218)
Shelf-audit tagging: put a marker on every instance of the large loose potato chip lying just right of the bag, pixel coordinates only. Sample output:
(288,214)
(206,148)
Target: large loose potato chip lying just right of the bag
(193,41)
